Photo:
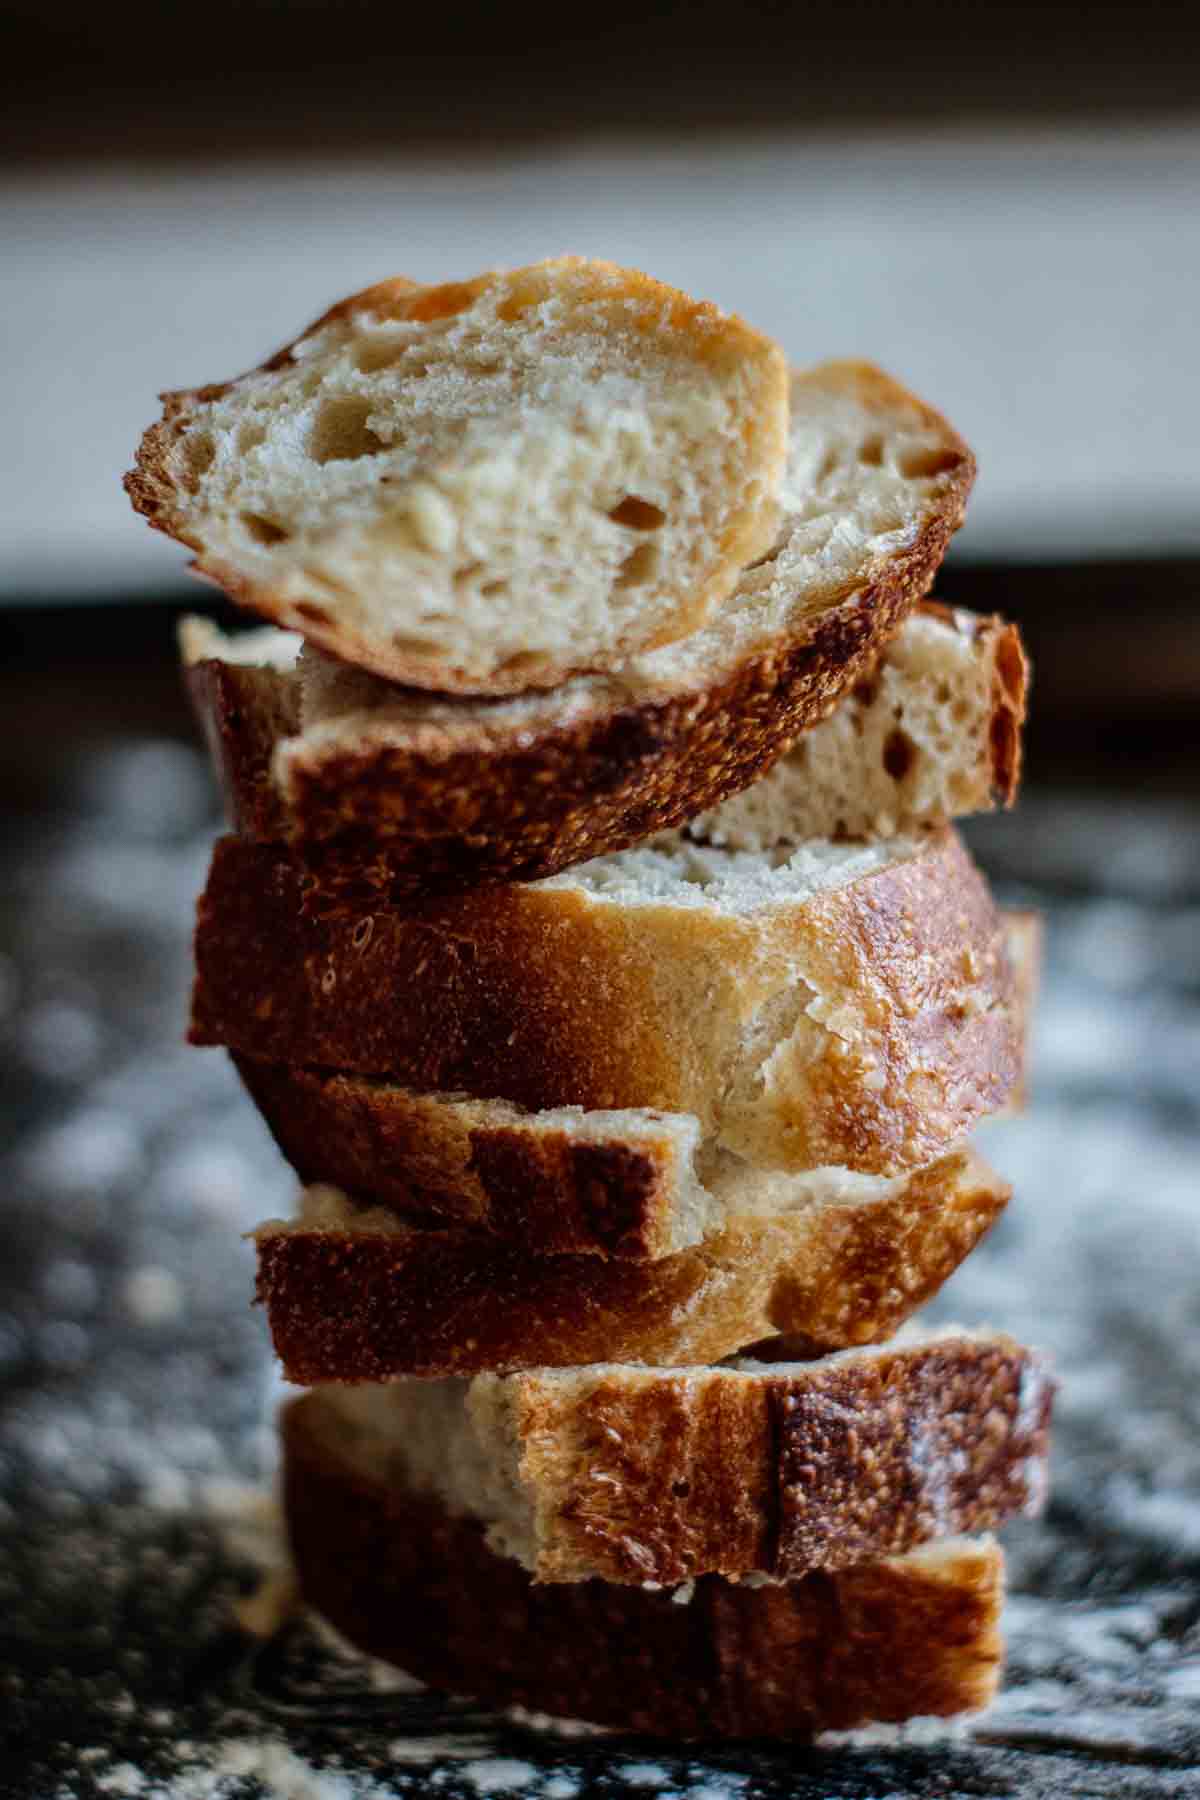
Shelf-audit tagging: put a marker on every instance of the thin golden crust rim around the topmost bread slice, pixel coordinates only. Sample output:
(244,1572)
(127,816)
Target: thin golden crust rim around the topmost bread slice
(154,485)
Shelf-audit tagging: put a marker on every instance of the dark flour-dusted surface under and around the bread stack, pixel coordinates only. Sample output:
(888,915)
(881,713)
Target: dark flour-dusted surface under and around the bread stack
(138,1390)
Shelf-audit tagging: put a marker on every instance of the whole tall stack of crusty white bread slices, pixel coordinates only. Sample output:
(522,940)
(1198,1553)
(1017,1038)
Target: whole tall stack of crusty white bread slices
(600,949)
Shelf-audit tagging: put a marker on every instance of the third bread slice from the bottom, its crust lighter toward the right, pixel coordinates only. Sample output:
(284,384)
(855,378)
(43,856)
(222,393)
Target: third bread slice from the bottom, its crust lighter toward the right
(357,1297)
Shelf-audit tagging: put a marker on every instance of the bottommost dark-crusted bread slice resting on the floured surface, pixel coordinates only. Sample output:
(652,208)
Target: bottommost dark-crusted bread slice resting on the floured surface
(400,1578)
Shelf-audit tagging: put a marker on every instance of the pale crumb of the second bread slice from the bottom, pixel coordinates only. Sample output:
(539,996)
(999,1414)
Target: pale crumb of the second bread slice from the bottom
(461,1439)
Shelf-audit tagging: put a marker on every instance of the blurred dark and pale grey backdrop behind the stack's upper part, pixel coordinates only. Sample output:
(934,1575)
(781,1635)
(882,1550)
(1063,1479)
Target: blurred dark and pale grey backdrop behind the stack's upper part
(999,202)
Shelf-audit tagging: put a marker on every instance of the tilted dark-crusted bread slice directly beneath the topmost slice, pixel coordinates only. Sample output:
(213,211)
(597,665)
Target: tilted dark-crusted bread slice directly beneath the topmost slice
(427,791)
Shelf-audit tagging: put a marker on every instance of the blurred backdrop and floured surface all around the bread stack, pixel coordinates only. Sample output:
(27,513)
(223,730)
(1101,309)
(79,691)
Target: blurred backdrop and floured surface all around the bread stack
(1001,204)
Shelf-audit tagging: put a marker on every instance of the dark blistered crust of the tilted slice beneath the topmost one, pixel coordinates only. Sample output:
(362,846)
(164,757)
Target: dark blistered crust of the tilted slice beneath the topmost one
(449,811)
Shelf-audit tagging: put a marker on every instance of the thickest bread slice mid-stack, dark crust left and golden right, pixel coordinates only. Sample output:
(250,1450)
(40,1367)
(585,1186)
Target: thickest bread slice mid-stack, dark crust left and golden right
(841,1005)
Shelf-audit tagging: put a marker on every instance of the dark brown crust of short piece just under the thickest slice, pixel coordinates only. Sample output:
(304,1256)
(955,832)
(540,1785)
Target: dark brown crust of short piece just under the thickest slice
(553,1192)
